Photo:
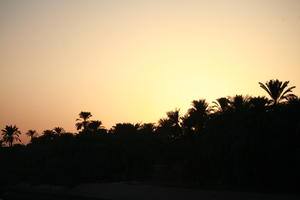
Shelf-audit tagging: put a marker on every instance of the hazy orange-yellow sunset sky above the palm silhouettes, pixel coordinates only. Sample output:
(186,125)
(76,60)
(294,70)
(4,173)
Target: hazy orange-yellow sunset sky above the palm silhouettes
(132,61)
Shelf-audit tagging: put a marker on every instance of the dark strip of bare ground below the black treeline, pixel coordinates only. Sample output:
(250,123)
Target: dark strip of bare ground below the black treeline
(131,191)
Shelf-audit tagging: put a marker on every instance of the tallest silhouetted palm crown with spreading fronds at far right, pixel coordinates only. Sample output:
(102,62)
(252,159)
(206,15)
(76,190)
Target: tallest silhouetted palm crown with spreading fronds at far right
(277,90)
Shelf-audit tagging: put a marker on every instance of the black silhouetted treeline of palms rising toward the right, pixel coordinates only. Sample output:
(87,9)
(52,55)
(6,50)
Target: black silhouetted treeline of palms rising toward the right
(239,142)
